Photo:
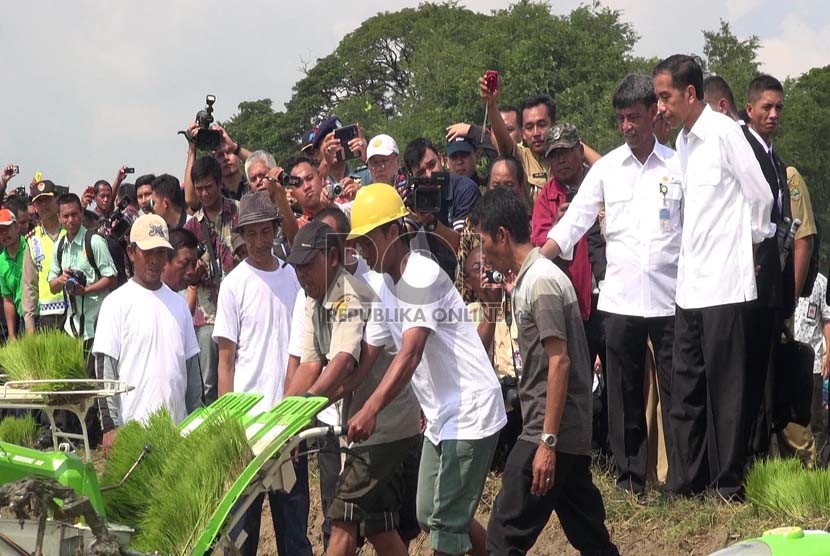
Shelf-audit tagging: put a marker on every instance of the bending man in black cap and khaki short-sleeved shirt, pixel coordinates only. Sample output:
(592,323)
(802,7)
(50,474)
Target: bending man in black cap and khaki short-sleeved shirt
(346,355)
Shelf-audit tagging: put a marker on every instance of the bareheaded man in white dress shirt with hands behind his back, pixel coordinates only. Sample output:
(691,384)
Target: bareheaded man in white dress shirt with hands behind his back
(726,211)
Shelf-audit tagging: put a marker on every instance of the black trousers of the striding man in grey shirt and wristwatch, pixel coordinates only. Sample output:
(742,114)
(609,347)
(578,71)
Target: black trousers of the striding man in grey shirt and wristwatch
(518,516)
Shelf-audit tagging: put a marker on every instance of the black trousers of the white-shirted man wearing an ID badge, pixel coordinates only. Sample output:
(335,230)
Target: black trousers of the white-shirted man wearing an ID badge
(626,338)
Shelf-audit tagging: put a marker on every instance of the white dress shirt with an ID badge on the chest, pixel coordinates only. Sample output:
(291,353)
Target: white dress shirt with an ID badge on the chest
(641,247)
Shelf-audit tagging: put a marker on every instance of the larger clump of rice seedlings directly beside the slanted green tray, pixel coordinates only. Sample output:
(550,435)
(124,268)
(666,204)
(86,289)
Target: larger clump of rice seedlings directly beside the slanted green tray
(195,477)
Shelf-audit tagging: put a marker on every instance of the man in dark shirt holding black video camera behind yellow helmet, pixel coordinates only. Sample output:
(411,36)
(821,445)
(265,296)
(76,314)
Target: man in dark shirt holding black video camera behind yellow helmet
(447,201)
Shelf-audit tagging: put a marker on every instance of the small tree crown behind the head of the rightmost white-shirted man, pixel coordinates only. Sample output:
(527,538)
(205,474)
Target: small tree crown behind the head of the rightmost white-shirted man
(733,59)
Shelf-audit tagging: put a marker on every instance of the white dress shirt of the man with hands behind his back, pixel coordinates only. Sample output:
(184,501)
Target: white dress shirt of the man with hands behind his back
(726,208)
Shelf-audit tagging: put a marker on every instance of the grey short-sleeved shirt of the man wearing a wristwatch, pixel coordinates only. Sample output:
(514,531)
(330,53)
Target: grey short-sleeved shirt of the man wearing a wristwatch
(545,306)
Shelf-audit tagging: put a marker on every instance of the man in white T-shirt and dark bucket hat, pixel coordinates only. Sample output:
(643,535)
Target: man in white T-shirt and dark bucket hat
(253,324)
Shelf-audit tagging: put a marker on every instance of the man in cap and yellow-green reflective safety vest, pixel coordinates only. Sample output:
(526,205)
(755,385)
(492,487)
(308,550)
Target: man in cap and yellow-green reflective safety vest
(42,309)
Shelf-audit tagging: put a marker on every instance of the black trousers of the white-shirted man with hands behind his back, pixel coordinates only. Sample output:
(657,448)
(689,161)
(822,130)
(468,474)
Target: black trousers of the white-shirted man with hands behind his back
(706,416)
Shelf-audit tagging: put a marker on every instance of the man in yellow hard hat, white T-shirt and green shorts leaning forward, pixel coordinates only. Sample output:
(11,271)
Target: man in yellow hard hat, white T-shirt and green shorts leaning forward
(449,370)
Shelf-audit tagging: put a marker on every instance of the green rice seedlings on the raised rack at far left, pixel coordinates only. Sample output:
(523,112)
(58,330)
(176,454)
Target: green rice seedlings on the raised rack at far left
(45,355)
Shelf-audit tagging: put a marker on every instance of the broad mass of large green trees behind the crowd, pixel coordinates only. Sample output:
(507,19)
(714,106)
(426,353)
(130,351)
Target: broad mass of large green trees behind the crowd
(413,72)
